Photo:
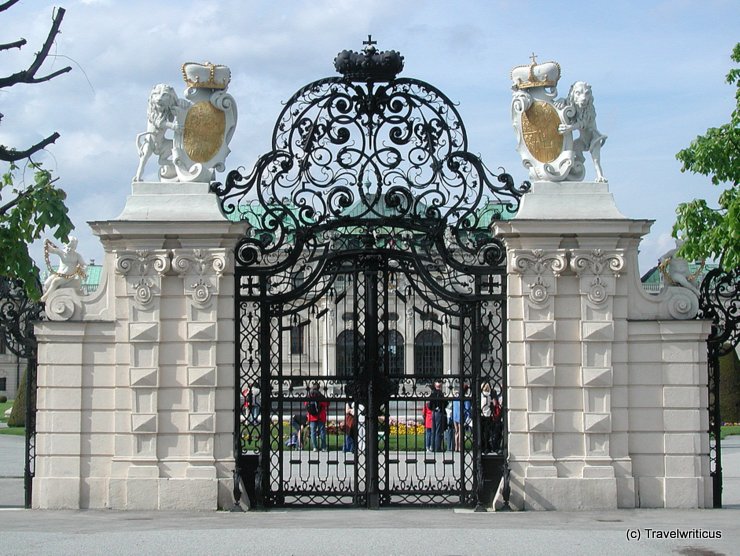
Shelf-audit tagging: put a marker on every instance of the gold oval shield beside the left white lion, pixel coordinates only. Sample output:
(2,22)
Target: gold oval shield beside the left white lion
(204,131)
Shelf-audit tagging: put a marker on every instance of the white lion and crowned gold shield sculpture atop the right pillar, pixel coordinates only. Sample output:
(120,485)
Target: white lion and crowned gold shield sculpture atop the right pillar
(545,125)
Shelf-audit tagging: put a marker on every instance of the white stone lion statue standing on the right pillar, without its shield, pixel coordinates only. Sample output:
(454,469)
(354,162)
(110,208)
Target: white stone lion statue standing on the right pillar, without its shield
(580,115)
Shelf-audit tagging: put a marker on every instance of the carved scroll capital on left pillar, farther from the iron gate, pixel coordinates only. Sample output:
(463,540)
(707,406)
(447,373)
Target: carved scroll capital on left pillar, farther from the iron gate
(143,271)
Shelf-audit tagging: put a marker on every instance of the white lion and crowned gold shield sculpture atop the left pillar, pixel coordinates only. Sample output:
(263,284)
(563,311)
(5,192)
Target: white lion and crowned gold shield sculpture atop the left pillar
(201,125)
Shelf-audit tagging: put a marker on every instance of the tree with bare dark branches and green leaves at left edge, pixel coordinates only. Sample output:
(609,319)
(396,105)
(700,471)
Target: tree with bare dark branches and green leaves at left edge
(28,208)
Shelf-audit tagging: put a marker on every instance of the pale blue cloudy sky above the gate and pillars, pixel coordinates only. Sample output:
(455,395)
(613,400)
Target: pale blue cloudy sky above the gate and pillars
(656,67)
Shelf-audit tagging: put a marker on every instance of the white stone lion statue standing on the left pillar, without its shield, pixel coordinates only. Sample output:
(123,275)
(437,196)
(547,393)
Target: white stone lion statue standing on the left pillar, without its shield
(162,114)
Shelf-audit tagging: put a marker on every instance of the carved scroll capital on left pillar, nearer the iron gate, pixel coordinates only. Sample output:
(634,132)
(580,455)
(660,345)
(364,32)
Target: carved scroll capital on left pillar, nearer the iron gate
(201,271)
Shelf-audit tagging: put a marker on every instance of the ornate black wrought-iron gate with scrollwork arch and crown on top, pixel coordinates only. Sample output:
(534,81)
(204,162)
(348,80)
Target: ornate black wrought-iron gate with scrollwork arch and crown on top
(368,274)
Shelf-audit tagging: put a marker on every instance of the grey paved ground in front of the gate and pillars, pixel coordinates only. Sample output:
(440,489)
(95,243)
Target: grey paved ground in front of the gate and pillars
(349,532)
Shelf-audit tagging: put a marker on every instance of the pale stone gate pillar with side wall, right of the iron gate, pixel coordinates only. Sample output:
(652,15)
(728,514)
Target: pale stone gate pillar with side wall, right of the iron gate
(602,376)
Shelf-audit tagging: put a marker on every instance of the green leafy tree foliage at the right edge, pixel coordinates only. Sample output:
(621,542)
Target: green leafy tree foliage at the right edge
(709,232)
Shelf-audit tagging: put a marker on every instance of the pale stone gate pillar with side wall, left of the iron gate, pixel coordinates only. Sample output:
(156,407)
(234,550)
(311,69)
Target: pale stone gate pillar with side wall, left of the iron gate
(136,382)
